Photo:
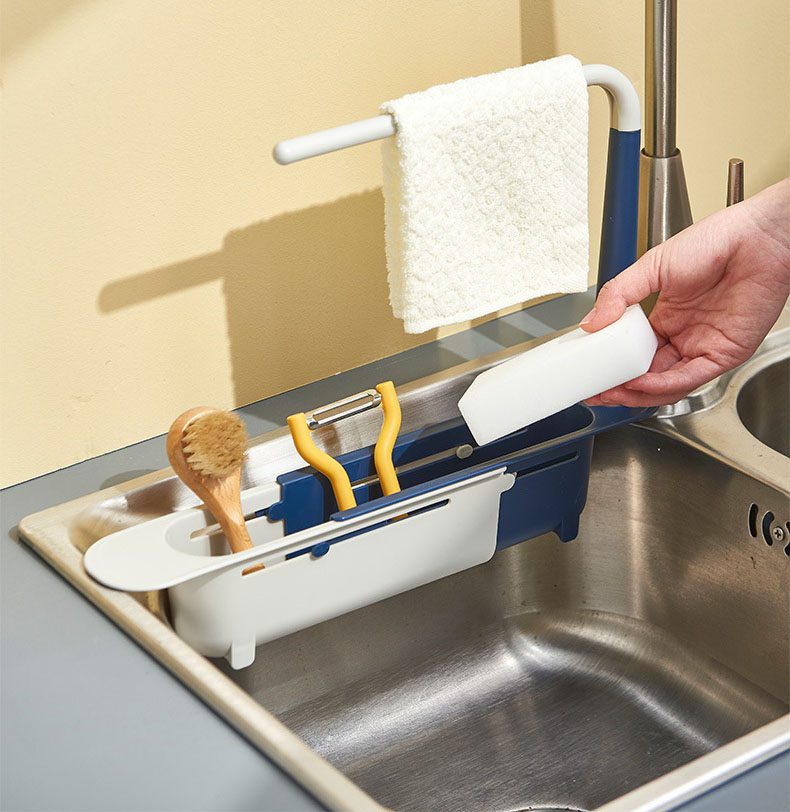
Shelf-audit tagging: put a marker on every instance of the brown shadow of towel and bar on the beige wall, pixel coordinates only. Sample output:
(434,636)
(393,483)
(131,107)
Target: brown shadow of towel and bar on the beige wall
(294,288)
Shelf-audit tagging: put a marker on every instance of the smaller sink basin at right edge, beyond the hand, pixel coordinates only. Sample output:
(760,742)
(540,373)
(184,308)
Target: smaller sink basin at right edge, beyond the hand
(764,404)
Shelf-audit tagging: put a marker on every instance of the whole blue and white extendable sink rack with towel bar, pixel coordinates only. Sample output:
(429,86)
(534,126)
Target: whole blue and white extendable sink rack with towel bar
(458,505)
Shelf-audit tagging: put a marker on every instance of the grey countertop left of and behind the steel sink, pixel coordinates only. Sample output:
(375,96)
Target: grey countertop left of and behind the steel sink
(91,721)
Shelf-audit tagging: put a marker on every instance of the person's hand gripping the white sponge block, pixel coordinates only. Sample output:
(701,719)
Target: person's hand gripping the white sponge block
(722,284)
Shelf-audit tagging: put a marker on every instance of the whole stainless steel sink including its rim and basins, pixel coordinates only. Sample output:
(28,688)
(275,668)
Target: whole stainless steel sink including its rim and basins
(556,676)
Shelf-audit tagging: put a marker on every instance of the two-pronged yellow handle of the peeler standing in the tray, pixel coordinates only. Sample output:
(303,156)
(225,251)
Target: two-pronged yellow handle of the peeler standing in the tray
(333,470)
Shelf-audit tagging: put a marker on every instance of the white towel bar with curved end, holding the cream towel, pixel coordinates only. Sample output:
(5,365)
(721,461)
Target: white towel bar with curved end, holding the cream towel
(625,116)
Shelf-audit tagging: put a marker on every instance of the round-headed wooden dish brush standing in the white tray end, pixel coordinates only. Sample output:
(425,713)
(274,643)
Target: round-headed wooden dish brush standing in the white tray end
(206,448)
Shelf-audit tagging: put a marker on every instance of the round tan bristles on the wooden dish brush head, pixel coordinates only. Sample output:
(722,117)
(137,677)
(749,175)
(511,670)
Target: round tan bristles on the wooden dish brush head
(215,444)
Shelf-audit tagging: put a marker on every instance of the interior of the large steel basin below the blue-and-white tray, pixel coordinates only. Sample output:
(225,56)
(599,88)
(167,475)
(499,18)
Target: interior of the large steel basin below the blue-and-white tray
(556,676)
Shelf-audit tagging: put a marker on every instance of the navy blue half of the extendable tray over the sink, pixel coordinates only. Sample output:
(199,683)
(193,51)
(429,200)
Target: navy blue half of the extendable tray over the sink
(550,459)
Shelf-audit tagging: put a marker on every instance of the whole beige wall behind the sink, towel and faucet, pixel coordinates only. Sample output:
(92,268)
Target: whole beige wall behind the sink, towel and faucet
(154,256)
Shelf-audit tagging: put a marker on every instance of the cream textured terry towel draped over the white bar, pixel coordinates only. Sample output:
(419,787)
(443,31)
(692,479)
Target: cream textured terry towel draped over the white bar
(485,190)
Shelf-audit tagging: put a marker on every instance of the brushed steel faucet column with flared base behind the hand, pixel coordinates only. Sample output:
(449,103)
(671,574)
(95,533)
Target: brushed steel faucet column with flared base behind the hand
(663,196)
